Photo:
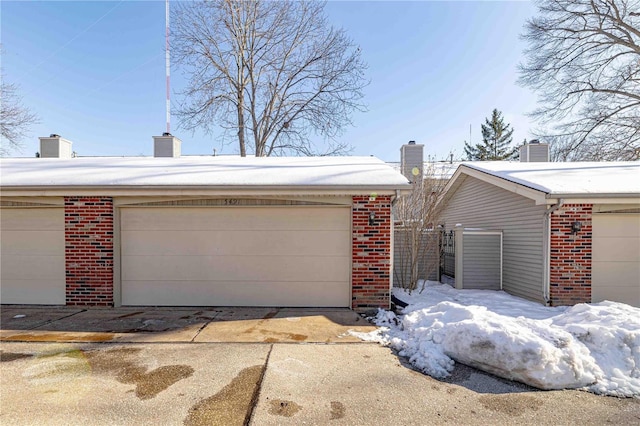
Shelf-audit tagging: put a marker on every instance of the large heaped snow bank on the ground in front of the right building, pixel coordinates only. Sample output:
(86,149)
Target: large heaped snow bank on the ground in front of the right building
(594,347)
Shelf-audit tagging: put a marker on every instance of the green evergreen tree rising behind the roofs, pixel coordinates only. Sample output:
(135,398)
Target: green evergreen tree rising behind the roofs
(496,141)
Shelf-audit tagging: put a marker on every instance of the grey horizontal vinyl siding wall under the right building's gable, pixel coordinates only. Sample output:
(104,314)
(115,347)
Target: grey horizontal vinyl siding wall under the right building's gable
(477,204)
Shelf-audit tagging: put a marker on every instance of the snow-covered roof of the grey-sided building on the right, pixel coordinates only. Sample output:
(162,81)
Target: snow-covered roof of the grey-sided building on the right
(579,179)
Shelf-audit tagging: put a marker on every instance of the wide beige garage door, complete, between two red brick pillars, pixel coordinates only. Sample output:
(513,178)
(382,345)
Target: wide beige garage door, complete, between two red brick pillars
(242,256)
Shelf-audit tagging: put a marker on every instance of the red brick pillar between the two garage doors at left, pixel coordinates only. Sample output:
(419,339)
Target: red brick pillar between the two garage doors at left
(88,226)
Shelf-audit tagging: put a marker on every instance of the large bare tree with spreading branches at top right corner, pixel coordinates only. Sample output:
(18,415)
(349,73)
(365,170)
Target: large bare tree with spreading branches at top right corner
(583,59)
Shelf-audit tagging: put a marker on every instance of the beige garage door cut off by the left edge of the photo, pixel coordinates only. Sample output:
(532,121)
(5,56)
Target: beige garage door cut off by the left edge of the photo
(32,256)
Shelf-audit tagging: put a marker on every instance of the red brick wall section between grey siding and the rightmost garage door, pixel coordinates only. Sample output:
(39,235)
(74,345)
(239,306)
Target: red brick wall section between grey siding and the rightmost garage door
(570,256)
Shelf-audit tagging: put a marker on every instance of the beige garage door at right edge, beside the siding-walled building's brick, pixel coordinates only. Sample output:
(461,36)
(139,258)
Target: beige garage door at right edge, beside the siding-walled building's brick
(616,258)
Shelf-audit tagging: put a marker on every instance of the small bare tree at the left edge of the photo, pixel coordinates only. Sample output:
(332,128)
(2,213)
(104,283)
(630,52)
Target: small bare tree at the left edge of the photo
(15,118)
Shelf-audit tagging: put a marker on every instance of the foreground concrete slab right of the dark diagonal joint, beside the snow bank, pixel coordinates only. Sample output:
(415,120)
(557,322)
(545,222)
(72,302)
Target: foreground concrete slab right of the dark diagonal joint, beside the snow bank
(367,384)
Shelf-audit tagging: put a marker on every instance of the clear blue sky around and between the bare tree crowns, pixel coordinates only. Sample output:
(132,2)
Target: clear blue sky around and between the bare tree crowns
(94,73)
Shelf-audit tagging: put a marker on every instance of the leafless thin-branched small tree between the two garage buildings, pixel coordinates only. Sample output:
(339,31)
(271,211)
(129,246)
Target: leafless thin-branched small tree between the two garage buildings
(416,236)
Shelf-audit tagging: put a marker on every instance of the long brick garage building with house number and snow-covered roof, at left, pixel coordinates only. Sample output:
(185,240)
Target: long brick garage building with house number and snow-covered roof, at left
(199,230)
